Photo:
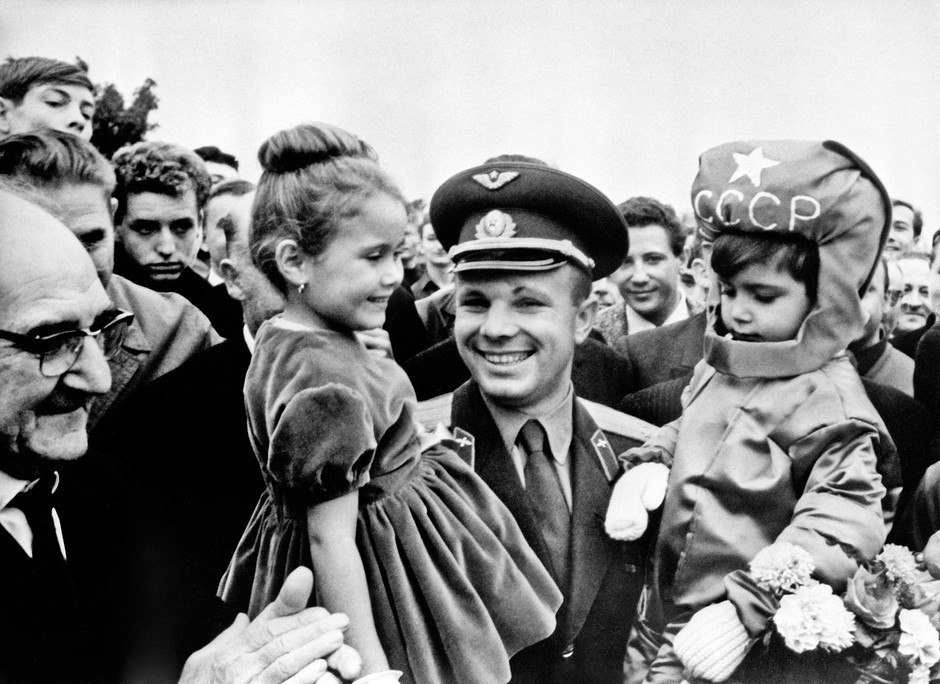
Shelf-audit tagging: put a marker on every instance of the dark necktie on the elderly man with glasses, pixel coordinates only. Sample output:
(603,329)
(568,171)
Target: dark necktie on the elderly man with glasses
(47,560)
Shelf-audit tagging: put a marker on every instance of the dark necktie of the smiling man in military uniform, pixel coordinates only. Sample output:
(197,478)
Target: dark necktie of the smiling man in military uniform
(546,497)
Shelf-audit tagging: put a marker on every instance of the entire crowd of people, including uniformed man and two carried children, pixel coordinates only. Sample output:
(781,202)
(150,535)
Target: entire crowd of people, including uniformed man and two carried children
(326,433)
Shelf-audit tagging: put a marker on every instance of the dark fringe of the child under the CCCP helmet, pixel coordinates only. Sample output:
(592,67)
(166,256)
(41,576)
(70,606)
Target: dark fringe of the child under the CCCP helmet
(733,252)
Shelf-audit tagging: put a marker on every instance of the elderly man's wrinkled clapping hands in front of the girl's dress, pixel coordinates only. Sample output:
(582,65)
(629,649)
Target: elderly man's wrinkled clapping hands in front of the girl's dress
(287,642)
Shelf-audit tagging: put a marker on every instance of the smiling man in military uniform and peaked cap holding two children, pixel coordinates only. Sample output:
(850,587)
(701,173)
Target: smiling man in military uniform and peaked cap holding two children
(527,241)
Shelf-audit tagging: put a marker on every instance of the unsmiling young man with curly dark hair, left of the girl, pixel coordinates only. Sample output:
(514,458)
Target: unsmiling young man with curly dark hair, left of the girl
(161,192)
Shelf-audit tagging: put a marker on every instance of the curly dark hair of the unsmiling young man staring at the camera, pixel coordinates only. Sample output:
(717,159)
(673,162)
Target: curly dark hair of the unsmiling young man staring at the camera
(158,167)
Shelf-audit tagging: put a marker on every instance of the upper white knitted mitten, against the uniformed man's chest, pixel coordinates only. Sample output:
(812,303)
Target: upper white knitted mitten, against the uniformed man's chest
(640,489)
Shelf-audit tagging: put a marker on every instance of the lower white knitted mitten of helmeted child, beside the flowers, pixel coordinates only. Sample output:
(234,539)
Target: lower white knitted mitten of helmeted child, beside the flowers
(714,642)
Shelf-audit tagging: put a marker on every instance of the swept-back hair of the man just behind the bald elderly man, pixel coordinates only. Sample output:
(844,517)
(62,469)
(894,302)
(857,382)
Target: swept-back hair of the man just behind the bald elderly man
(53,159)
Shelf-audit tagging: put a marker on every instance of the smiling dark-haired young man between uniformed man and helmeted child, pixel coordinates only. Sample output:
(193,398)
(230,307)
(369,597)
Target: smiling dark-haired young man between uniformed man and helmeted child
(649,276)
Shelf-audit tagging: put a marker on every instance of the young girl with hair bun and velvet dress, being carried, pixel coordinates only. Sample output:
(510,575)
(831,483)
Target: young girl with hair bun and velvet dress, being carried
(401,535)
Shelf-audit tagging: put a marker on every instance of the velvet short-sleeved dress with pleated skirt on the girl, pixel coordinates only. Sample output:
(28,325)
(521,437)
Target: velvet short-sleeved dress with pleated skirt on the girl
(455,588)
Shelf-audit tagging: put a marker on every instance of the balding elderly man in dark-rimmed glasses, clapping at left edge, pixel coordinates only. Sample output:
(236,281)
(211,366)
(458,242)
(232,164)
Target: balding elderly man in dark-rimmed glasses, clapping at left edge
(76,582)
